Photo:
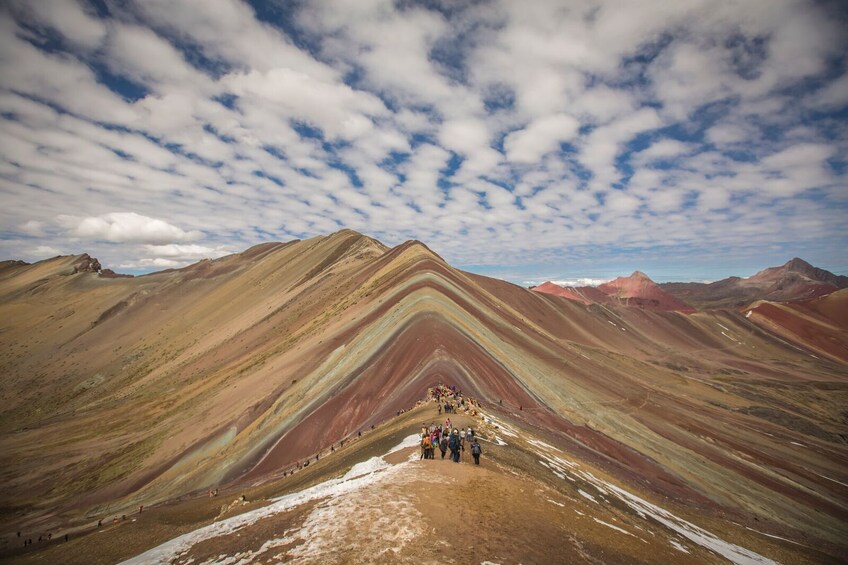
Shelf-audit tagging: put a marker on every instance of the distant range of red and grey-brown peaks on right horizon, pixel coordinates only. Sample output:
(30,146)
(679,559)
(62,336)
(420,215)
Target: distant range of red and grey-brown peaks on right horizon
(794,281)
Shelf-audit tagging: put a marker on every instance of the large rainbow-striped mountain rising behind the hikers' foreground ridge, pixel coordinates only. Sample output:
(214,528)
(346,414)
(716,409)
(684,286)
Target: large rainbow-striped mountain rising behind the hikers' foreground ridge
(123,392)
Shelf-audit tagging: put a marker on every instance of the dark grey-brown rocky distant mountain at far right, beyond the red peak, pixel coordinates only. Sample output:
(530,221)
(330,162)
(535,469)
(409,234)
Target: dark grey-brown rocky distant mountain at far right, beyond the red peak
(796,280)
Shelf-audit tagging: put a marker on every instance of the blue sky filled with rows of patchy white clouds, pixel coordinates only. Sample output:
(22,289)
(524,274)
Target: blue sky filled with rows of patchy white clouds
(529,141)
